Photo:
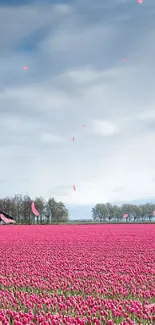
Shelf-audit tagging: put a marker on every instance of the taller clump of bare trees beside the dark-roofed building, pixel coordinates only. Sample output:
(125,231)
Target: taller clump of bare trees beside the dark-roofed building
(19,207)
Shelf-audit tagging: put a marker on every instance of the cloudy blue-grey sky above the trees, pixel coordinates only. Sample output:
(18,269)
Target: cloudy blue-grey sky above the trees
(89,63)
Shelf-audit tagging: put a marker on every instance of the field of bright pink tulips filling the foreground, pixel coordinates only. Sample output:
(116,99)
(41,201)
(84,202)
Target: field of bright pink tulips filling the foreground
(77,274)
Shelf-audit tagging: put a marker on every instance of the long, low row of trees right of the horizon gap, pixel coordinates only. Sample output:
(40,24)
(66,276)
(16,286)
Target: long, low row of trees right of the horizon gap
(108,212)
